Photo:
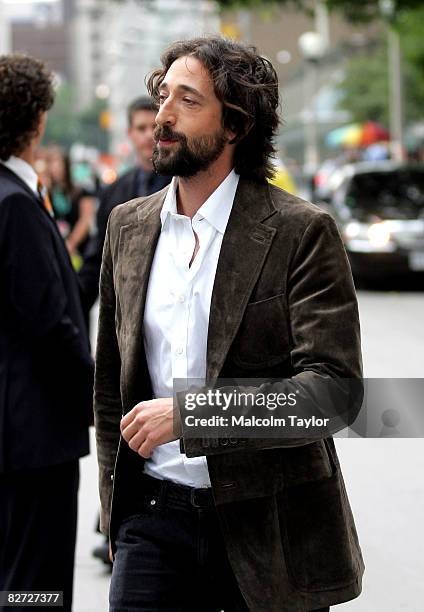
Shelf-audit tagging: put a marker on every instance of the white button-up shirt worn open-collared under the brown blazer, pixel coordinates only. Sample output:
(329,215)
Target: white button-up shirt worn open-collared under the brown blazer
(176,317)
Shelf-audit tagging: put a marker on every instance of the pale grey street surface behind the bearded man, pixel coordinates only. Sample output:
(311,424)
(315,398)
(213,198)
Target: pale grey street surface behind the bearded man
(384,477)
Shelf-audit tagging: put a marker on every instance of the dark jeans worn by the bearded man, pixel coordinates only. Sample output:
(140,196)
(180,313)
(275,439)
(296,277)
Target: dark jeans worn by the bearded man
(171,557)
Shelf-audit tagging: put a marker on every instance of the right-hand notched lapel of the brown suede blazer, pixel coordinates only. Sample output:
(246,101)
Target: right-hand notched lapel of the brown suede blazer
(244,248)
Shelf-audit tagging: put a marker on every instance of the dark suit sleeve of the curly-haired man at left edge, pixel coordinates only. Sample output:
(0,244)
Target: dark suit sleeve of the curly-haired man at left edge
(33,283)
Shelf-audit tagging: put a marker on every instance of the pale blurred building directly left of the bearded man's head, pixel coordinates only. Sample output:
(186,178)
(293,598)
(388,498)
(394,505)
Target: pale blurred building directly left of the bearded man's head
(131,46)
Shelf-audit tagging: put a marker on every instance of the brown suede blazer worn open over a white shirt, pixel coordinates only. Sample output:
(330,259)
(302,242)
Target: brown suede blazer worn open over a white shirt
(283,305)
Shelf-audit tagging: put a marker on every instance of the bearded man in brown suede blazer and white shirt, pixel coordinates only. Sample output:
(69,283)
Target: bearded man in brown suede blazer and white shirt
(220,276)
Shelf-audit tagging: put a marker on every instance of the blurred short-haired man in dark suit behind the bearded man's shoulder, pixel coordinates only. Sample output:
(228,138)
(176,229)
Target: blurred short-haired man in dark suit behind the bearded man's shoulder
(142,180)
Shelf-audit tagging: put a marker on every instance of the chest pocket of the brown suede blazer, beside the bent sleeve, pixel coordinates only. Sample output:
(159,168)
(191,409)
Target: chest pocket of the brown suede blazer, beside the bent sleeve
(263,337)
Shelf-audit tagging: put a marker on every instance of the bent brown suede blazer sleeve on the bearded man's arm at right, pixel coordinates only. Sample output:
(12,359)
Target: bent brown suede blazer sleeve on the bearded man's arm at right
(326,354)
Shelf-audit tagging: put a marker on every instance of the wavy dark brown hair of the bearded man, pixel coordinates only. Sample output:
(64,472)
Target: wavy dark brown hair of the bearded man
(247,86)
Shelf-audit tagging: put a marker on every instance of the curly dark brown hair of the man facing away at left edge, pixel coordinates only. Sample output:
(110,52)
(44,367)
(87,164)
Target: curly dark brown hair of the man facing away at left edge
(26,91)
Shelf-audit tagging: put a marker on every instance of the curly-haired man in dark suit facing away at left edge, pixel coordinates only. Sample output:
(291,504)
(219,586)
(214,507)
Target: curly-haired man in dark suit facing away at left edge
(46,371)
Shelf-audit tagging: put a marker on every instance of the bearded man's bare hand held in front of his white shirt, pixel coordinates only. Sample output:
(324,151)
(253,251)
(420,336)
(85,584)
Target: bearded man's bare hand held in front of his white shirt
(150,424)
